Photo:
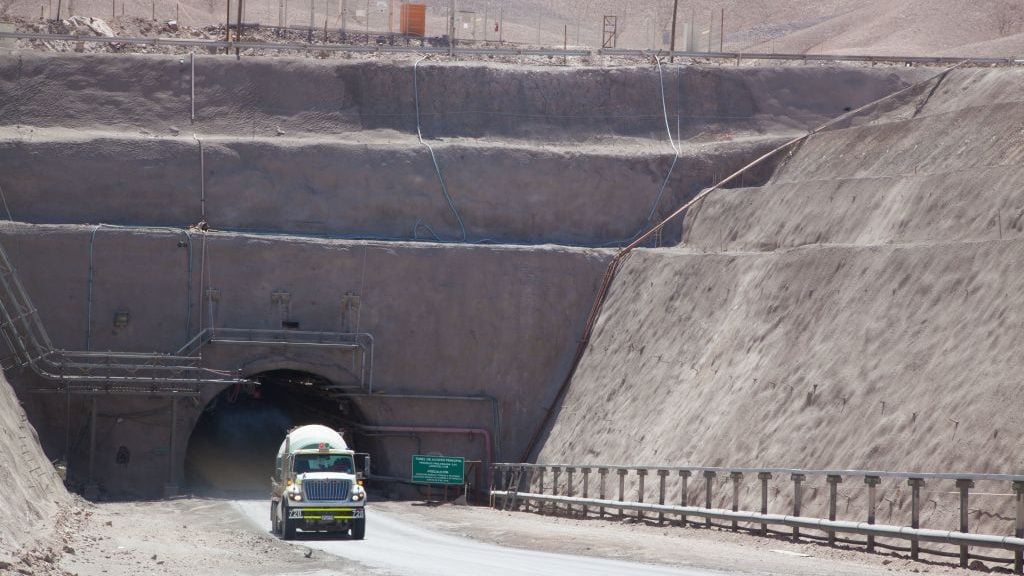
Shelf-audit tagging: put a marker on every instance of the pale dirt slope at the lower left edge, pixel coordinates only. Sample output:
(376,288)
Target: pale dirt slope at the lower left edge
(34,495)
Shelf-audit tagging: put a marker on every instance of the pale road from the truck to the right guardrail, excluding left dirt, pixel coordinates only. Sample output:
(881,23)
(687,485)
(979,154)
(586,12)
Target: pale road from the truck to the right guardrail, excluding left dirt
(417,540)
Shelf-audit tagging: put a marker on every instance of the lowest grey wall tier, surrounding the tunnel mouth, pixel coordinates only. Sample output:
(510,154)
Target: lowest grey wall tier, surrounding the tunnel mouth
(500,321)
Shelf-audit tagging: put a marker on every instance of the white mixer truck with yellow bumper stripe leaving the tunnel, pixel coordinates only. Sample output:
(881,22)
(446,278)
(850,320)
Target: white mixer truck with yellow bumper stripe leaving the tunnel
(315,486)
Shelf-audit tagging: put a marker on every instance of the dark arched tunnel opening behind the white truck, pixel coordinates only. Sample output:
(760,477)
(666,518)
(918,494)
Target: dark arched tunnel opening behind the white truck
(233,447)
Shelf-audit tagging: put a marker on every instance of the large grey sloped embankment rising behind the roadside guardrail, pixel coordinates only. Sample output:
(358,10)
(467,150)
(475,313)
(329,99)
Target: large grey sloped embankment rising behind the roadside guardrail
(864,310)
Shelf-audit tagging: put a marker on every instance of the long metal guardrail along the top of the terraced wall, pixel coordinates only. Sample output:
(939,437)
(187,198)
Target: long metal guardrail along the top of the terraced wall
(473,51)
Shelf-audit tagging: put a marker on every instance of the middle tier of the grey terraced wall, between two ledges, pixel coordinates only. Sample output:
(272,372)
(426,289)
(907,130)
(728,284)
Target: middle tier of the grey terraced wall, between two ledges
(504,194)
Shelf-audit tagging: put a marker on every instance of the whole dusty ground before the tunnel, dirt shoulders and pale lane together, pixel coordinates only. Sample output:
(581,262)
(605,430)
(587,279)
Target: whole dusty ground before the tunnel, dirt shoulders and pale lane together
(219,537)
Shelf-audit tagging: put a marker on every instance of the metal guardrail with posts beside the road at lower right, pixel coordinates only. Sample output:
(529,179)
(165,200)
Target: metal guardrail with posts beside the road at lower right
(508,476)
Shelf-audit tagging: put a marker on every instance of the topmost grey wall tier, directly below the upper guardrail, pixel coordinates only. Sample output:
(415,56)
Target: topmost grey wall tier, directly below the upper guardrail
(255,97)
